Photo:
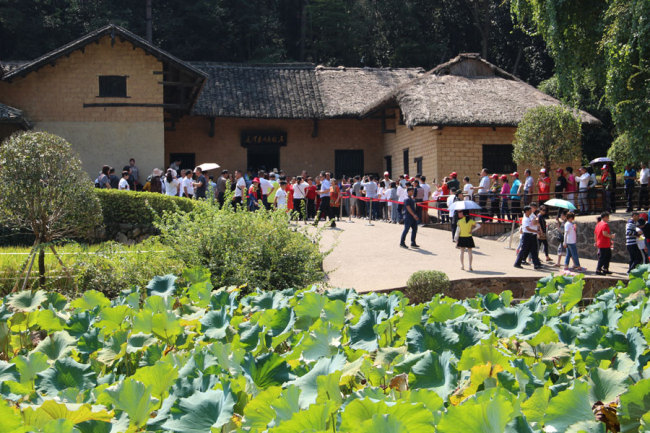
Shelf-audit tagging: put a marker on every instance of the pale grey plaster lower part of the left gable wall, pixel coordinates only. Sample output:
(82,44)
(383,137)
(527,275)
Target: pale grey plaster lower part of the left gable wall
(113,143)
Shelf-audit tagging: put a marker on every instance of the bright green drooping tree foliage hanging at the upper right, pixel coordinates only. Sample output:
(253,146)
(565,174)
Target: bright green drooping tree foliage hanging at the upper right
(602,61)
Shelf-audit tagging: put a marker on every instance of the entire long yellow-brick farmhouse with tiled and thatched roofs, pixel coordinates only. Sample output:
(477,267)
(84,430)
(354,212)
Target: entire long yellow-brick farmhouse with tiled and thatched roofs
(116,96)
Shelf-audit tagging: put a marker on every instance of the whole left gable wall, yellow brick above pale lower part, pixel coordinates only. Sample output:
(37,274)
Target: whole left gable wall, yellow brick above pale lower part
(53,99)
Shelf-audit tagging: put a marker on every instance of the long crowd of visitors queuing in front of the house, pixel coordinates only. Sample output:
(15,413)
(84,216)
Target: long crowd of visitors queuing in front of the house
(408,201)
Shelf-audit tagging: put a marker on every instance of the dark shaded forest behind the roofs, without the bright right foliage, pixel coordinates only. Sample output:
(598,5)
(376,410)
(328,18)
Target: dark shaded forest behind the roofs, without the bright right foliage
(397,33)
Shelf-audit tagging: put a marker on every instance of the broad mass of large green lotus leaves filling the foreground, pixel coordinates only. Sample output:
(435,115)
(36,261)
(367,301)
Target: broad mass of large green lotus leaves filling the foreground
(186,358)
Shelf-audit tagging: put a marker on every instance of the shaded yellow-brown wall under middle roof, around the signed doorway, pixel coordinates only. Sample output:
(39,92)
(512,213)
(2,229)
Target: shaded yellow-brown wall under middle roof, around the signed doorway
(302,152)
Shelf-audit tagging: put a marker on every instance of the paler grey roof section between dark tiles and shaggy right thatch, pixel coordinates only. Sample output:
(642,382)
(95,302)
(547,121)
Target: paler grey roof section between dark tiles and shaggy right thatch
(347,91)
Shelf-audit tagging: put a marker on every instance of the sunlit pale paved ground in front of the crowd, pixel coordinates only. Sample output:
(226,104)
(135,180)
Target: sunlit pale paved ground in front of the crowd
(369,258)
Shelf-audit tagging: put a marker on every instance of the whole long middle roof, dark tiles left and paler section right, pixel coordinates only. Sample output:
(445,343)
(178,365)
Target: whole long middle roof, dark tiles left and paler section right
(292,90)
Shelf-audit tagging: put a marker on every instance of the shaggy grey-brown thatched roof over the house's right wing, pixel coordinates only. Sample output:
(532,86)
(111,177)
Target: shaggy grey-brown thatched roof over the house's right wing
(466,91)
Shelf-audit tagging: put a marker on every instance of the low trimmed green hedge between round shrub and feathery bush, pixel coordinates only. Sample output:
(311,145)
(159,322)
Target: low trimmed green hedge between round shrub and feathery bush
(134,207)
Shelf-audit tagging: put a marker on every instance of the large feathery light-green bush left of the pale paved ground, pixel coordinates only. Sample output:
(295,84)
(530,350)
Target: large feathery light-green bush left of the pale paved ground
(260,248)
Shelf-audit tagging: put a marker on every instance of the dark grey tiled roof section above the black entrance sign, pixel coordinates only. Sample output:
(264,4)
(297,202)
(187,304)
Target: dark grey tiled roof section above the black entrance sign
(277,91)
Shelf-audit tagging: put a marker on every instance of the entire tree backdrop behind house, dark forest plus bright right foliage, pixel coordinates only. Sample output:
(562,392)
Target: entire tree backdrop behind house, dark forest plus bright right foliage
(592,54)
